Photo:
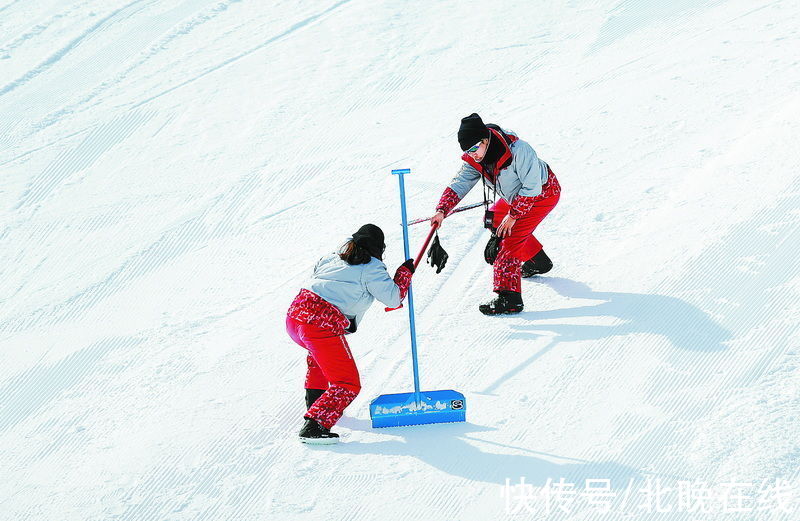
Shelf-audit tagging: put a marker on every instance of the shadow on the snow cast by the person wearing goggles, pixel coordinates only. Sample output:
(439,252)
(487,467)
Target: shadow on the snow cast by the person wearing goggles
(684,325)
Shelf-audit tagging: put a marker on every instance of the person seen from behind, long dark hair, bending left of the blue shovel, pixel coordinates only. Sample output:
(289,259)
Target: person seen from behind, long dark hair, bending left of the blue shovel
(331,305)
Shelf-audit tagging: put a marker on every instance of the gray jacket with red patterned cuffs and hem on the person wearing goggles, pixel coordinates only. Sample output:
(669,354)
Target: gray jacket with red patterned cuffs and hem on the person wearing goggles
(518,176)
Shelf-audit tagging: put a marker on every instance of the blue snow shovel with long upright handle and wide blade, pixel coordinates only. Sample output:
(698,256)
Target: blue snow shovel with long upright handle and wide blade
(419,407)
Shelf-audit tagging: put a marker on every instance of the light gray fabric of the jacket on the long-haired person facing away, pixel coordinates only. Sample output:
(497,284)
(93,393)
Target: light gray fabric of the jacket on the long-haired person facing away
(352,288)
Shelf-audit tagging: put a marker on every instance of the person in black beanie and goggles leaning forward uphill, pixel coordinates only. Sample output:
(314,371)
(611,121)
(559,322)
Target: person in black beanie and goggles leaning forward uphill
(528,191)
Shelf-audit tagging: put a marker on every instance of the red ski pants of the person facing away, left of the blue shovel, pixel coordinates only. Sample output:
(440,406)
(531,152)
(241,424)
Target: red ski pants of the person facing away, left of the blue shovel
(330,366)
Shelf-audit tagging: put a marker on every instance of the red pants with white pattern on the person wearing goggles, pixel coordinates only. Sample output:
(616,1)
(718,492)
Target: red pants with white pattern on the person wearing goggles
(521,245)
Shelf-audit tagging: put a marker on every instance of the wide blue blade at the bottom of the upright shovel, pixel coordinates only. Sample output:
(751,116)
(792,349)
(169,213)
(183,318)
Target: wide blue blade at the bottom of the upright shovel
(401,409)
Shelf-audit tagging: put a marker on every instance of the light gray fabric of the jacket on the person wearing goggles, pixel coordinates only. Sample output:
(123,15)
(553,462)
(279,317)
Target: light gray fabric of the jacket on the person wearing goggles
(524,176)
